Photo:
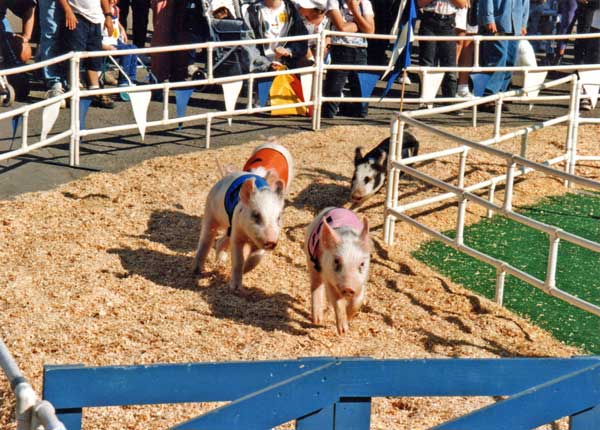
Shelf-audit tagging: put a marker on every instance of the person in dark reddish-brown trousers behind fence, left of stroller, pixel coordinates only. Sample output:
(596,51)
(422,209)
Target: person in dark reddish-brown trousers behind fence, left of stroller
(162,15)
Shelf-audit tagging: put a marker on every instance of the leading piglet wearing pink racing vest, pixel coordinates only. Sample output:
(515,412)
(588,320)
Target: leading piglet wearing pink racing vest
(338,253)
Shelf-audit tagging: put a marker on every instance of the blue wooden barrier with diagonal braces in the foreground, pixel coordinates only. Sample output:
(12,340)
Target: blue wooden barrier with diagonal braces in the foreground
(335,393)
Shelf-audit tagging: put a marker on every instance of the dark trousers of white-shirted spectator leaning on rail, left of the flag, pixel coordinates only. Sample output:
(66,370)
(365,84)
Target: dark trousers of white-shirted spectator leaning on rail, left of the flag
(336,79)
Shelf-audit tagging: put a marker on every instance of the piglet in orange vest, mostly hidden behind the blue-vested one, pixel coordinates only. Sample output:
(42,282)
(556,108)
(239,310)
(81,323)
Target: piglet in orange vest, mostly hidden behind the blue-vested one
(271,158)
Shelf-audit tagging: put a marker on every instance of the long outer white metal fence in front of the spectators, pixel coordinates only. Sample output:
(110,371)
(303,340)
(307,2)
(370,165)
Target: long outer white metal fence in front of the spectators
(75,133)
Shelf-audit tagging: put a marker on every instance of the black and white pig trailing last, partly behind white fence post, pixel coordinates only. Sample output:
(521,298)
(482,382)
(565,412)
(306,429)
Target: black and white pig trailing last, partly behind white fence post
(370,171)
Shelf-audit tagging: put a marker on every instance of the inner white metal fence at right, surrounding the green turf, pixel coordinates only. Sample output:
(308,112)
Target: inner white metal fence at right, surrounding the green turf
(466,194)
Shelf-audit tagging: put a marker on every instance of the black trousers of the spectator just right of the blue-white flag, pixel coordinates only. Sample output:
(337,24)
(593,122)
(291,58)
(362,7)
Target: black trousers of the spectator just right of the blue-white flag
(439,53)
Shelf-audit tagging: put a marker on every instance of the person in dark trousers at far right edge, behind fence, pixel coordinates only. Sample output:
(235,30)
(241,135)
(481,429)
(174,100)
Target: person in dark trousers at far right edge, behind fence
(587,51)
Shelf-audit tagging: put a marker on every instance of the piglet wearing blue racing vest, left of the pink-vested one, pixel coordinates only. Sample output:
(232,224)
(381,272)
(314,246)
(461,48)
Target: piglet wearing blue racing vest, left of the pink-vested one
(249,209)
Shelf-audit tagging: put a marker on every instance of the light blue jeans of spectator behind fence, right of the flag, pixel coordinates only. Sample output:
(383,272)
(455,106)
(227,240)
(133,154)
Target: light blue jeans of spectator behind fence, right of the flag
(498,53)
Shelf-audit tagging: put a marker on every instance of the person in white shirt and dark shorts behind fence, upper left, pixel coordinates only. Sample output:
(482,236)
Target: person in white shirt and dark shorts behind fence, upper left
(83,21)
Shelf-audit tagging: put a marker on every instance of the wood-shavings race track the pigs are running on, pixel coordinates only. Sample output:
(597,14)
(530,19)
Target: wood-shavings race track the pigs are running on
(98,272)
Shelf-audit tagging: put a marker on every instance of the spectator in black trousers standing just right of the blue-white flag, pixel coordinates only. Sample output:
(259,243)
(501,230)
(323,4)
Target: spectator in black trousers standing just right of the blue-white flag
(438,19)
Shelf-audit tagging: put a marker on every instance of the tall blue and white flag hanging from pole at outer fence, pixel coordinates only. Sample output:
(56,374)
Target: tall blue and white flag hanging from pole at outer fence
(404,30)
